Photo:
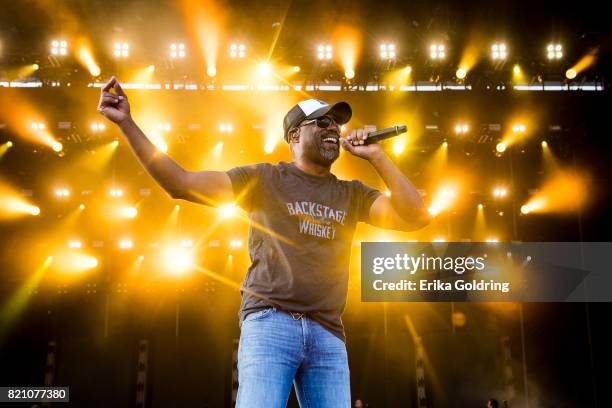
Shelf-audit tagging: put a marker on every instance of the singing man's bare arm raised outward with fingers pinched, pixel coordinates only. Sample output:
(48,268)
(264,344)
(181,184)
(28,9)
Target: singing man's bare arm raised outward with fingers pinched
(207,187)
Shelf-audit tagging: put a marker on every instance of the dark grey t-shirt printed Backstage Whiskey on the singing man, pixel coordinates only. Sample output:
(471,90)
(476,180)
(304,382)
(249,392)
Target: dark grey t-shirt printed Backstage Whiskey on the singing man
(300,239)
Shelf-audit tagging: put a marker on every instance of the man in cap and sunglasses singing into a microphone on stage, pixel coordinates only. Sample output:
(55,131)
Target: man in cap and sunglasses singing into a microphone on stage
(303,221)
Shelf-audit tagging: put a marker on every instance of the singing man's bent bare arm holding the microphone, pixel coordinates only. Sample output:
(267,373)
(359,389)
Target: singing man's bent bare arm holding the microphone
(404,210)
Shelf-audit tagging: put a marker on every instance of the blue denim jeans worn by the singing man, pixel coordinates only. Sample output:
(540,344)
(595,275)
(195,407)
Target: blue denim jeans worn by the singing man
(276,350)
